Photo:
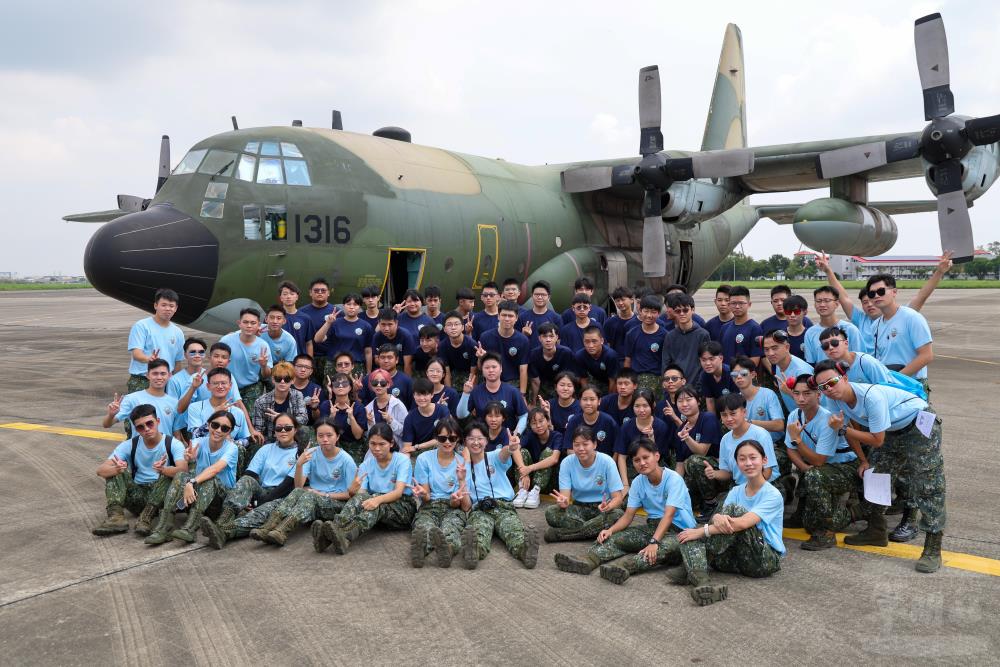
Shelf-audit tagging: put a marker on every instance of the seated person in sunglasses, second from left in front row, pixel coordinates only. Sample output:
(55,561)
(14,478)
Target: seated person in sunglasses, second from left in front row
(215,457)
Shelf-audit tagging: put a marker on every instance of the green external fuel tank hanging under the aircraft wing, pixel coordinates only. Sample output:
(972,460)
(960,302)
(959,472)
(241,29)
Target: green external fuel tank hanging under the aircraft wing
(841,227)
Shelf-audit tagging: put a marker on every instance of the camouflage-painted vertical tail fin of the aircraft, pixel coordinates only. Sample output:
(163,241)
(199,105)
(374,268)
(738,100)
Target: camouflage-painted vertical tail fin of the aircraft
(726,126)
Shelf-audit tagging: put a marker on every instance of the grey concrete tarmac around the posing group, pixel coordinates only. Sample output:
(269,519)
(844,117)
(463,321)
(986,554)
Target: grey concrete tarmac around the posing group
(67,597)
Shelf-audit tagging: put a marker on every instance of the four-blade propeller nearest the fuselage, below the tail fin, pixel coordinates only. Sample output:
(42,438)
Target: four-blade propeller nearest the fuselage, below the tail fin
(655,172)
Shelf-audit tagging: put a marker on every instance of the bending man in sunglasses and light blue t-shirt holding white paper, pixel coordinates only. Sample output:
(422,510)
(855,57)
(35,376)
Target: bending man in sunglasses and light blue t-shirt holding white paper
(898,448)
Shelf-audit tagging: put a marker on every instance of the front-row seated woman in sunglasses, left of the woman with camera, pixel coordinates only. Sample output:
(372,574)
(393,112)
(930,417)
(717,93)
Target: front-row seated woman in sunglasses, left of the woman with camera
(439,478)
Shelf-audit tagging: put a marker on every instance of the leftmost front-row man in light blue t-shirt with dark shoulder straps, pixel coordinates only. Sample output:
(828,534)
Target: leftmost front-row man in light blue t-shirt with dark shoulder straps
(138,473)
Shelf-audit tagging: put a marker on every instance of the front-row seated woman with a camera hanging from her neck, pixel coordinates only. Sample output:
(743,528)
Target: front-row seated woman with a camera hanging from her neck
(490,502)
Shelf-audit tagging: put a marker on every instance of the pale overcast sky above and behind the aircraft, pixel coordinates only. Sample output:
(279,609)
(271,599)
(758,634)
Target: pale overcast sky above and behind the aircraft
(88,88)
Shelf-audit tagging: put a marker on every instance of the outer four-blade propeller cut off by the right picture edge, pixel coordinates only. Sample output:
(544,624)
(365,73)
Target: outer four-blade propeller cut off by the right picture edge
(944,142)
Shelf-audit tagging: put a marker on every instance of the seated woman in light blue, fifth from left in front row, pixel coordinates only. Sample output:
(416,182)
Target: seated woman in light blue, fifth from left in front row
(380,494)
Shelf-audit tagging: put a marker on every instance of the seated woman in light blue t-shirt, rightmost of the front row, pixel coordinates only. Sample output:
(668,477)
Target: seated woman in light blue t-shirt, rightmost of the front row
(744,537)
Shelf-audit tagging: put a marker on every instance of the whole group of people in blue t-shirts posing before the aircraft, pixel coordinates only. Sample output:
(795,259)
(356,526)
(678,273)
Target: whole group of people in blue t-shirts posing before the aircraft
(343,418)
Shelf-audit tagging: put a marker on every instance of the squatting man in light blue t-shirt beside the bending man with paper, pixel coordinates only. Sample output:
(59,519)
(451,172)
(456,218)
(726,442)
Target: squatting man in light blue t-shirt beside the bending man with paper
(827,467)
